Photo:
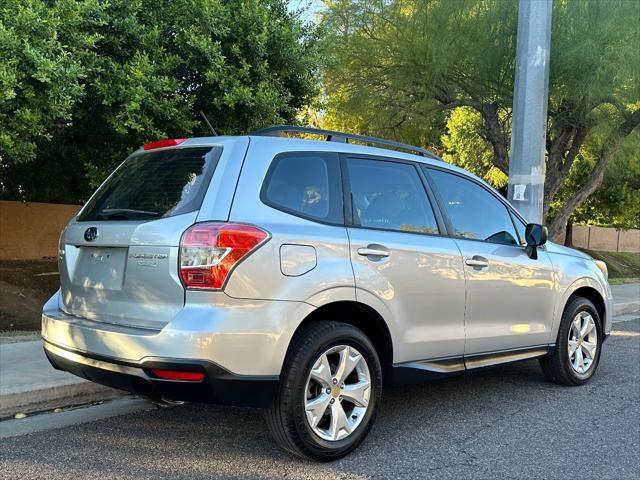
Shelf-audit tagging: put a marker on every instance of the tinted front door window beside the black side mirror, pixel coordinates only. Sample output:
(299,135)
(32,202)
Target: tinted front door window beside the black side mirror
(474,212)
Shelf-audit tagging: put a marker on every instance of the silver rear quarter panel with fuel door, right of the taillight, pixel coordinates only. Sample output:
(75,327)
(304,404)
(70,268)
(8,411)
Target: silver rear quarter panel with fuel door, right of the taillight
(262,274)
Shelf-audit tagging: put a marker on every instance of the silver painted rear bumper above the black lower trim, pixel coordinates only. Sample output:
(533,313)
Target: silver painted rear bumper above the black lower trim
(246,338)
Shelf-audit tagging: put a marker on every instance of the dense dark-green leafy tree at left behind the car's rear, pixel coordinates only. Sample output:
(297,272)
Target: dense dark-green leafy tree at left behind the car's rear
(113,75)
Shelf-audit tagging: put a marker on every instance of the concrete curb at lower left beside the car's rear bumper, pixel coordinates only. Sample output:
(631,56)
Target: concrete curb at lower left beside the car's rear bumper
(54,396)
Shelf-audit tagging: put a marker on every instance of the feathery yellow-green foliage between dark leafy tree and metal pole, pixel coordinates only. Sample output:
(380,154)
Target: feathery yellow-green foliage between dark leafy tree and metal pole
(390,59)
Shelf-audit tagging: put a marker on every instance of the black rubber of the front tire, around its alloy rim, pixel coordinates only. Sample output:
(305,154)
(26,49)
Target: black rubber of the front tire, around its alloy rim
(578,306)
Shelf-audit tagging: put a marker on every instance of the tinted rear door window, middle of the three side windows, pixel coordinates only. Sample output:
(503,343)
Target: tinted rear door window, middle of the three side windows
(389,196)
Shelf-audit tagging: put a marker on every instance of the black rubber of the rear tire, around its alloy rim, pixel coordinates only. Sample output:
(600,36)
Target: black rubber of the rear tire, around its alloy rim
(318,447)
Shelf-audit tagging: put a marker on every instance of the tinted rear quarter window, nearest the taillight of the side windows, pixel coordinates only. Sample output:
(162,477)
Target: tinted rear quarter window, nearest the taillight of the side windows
(306,184)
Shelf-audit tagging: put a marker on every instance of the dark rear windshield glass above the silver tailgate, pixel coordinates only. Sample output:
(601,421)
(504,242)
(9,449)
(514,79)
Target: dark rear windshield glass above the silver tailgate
(154,185)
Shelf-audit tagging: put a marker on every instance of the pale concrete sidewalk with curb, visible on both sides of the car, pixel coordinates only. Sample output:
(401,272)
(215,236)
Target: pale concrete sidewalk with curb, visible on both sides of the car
(29,383)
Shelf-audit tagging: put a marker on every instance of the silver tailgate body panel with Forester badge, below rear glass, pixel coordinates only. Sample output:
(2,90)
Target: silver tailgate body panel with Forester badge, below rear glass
(128,275)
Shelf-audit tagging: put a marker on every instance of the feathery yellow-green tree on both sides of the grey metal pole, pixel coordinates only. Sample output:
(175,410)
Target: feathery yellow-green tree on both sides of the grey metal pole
(401,66)
